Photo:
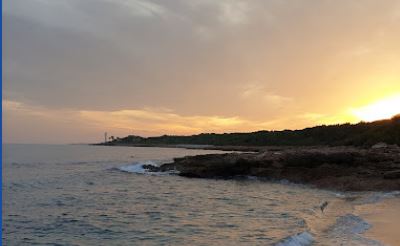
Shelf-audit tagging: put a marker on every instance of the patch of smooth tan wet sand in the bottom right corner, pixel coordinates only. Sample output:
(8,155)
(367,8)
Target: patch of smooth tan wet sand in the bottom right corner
(385,220)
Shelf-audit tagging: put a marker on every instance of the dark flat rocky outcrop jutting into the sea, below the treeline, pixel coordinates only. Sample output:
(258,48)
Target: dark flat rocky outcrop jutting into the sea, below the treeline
(337,168)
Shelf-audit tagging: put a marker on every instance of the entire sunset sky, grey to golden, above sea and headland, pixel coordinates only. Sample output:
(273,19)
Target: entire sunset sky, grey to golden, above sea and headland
(74,69)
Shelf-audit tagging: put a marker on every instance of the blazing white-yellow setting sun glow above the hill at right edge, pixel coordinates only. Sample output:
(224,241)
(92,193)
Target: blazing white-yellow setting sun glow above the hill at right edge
(382,109)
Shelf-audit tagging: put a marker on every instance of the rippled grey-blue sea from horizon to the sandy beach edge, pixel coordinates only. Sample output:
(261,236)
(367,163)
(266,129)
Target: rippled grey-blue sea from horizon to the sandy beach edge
(97,195)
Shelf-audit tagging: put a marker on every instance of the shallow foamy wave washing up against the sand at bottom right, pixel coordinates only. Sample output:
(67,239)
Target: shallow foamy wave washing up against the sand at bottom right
(341,225)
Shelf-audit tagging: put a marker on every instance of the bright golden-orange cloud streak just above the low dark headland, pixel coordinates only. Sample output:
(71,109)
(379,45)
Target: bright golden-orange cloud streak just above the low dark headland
(167,122)
